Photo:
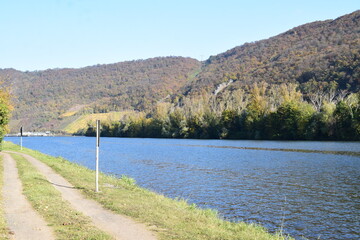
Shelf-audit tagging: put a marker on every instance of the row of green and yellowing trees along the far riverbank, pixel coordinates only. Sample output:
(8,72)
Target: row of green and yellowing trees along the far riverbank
(315,111)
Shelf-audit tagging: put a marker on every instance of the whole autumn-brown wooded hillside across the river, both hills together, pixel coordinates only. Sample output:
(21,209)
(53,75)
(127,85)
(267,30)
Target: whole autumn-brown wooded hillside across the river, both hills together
(321,53)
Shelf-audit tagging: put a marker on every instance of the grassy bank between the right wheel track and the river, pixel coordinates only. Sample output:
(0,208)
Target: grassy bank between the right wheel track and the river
(171,219)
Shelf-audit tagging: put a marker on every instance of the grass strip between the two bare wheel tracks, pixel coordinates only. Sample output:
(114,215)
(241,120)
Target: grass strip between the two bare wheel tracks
(66,222)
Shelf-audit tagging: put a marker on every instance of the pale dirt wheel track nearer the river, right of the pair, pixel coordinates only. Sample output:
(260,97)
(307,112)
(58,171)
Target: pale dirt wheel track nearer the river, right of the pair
(116,225)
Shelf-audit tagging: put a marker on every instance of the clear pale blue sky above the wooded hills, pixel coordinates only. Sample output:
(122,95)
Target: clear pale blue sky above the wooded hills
(42,34)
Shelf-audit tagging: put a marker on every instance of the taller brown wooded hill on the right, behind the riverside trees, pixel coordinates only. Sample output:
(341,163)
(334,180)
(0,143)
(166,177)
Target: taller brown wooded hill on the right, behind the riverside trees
(321,51)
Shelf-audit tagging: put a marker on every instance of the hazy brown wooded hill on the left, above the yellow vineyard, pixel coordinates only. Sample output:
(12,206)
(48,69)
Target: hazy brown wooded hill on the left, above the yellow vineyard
(41,97)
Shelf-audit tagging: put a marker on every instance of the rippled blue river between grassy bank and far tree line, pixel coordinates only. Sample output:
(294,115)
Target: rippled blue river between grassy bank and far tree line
(308,194)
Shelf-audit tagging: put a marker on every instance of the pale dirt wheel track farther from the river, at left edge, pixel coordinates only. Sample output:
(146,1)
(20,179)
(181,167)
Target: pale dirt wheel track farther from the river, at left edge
(23,221)
